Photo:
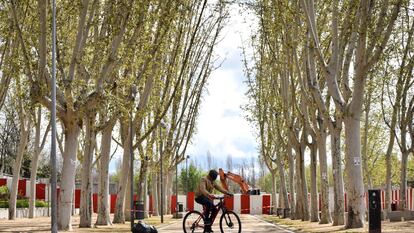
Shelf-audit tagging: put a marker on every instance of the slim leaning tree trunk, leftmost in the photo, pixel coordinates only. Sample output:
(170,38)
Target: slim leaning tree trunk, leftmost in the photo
(24,134)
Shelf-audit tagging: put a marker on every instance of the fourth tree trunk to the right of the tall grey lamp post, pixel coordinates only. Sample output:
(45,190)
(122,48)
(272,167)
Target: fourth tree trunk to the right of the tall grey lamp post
(119,215)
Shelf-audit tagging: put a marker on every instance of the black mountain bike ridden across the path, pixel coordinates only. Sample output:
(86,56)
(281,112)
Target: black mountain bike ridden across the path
(229,221)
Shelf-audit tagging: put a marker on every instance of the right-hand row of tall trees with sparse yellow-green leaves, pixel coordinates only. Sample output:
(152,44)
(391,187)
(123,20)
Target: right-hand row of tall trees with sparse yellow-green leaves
(339,72)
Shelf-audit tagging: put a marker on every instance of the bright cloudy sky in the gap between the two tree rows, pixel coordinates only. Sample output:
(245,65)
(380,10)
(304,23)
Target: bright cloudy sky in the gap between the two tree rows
(222,128)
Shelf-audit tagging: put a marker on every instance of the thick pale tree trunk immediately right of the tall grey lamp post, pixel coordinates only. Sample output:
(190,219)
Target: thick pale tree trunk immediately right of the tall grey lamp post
(67,184)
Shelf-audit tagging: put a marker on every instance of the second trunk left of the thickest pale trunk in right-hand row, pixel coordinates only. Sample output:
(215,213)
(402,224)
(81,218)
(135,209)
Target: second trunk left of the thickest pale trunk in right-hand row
(324,194)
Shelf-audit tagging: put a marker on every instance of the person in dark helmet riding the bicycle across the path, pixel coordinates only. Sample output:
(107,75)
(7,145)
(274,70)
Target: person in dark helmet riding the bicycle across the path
(204,197)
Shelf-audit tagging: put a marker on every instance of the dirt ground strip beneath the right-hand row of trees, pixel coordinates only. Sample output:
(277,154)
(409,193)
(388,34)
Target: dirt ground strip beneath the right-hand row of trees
(301,226)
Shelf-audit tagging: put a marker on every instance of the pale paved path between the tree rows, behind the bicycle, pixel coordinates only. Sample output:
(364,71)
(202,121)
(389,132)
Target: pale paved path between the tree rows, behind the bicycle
(250,224)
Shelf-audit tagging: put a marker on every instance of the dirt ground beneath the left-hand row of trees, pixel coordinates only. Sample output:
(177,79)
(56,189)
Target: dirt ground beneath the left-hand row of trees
(42,224)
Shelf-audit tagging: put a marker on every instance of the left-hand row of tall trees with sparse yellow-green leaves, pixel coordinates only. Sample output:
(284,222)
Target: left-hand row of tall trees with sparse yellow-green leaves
(132,71)
